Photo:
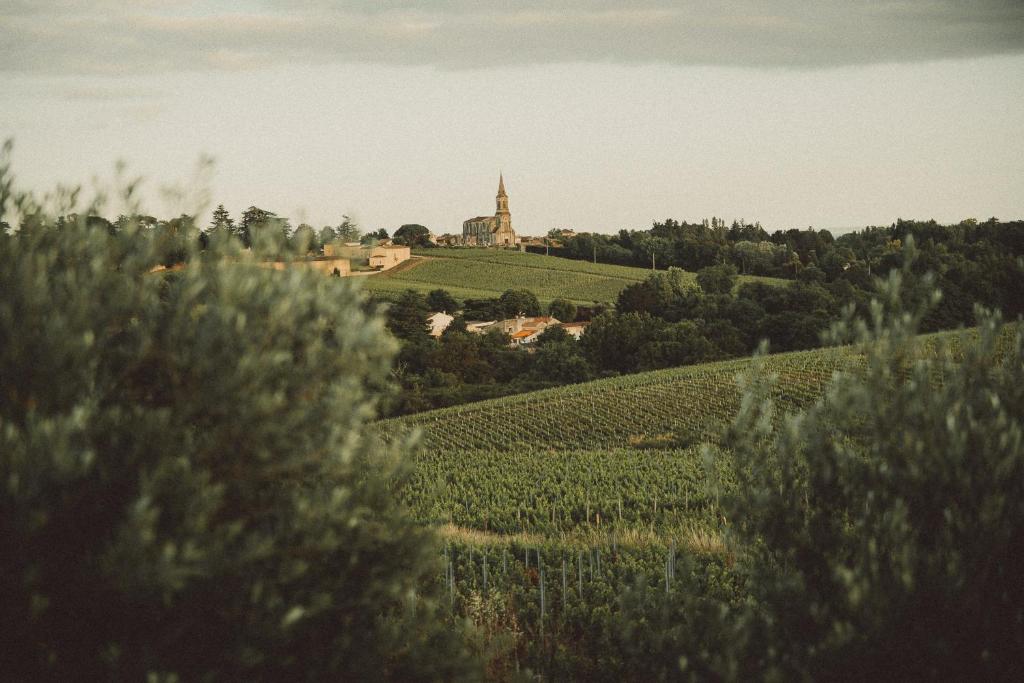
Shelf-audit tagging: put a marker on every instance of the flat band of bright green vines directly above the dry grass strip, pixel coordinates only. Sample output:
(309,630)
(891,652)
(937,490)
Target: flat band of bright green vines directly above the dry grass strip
(564,493)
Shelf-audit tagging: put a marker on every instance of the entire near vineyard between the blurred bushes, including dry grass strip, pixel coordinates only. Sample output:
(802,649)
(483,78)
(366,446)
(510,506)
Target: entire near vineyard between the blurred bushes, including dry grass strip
(554,504)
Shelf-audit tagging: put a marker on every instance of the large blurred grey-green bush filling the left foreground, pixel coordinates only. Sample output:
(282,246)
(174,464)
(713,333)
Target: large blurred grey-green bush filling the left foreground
(190,488)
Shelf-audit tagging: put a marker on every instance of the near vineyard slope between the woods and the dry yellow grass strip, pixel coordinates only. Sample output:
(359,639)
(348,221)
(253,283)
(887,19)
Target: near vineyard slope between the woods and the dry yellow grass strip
(625,450)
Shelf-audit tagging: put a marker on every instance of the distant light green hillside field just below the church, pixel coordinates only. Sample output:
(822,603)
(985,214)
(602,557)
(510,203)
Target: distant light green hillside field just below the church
(488,273)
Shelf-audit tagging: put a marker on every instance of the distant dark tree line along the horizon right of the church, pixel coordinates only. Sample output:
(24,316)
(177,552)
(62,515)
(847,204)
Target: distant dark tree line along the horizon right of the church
(974,262)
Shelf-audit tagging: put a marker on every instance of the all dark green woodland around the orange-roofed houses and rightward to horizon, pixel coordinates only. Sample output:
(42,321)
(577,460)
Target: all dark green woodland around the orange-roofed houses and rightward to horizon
(664,322)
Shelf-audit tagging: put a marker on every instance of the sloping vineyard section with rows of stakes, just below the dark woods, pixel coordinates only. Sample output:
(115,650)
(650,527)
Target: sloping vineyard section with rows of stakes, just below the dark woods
(621,412)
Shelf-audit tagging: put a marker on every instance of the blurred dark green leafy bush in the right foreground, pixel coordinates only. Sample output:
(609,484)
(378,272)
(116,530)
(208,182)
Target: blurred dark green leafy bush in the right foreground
(883,538)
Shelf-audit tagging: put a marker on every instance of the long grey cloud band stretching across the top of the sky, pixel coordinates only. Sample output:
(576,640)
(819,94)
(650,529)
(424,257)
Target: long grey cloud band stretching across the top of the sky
(113,38)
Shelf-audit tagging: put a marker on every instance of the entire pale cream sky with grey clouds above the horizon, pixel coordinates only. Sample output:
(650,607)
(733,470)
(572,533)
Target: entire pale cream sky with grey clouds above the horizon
(602,115)
